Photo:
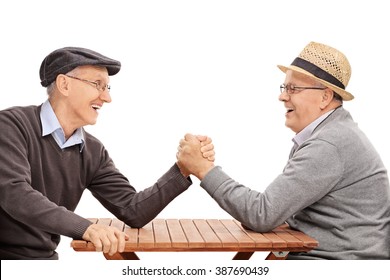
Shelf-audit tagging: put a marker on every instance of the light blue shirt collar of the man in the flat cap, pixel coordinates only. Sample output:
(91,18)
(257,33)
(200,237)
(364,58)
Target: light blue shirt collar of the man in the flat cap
(51,125)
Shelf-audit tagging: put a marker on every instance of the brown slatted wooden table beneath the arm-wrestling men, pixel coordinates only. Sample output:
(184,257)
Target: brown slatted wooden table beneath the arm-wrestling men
(203,235)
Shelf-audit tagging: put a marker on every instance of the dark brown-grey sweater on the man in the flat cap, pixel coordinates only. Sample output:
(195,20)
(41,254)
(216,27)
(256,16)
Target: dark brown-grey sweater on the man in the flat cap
(41,185)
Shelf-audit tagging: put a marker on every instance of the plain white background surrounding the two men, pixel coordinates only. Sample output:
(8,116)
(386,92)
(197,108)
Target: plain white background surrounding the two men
(204,67)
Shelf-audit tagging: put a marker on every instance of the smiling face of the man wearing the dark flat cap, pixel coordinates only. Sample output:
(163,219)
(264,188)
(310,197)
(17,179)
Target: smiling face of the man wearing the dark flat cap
(77,98)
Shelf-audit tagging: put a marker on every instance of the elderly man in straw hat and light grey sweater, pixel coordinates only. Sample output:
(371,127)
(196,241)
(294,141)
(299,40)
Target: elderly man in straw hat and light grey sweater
(334,187)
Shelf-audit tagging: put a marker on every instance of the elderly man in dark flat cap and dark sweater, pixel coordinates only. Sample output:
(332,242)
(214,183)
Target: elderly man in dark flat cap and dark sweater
(47,160)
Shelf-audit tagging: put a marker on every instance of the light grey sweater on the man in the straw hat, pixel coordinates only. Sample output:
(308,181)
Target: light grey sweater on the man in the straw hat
(334,188)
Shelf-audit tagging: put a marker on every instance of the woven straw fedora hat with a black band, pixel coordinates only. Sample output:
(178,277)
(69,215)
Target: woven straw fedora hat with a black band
(325,64)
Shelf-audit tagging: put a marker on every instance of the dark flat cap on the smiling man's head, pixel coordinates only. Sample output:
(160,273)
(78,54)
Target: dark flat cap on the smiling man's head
(63,60)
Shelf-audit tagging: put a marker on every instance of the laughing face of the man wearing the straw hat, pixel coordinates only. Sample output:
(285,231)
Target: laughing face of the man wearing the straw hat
(304,105)
